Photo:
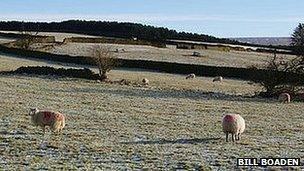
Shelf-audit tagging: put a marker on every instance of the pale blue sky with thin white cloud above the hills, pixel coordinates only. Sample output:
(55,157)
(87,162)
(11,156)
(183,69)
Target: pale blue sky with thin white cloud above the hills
(220,18)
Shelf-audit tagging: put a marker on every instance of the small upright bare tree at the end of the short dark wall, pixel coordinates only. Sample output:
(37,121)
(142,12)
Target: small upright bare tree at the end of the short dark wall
(105,60)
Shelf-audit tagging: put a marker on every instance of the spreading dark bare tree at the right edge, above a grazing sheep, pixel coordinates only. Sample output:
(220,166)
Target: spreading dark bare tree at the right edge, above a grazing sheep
(280,75)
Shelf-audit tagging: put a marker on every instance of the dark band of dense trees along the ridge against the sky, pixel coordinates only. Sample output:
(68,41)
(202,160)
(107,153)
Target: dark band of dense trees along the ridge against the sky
(111,29)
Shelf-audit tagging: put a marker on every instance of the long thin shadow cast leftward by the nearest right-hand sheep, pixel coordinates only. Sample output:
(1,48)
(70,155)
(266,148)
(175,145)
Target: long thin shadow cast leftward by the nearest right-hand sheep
(177,141)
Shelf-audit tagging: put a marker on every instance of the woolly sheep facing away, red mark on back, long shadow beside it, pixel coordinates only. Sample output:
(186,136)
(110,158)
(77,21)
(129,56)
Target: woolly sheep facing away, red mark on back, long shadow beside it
(233,124)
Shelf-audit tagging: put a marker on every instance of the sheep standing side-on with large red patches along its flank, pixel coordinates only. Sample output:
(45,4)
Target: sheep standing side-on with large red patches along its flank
(55,120)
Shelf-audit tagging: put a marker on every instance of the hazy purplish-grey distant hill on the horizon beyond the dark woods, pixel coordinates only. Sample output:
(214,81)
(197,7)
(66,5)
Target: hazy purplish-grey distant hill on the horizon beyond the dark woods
(275,41)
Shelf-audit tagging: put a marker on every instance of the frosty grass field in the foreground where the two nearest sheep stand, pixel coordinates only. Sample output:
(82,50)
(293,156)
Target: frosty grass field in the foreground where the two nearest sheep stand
(172,124)
